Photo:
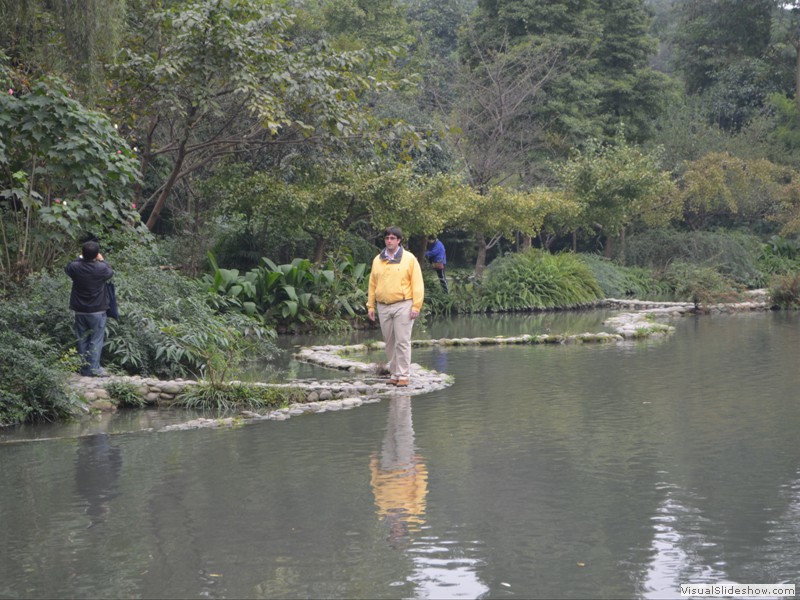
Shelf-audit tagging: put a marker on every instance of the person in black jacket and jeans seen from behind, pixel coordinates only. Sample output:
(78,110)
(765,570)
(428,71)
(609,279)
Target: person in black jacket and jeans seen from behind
(89,300)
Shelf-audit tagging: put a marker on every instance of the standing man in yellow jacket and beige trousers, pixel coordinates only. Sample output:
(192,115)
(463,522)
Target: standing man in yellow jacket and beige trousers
(397,291)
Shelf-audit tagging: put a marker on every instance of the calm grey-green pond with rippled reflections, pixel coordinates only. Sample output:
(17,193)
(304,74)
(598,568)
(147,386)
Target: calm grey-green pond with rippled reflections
(566,471)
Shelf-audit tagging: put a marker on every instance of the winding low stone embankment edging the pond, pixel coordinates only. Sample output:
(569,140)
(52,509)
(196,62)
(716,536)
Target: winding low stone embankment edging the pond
(363,384)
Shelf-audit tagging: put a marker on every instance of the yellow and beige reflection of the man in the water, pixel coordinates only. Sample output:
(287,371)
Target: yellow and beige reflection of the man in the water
(399,477)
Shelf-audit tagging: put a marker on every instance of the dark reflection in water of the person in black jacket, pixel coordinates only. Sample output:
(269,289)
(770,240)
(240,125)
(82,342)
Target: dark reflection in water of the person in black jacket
(97,468)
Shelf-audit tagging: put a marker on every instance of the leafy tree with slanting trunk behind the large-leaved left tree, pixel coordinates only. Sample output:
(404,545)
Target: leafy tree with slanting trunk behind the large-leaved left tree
(209,79)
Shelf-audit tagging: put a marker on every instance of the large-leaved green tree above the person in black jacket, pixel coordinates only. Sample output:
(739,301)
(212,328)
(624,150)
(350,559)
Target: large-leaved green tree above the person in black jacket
(64,173)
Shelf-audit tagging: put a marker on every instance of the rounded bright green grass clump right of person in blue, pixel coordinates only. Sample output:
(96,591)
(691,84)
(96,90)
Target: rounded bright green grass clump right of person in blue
(536,280)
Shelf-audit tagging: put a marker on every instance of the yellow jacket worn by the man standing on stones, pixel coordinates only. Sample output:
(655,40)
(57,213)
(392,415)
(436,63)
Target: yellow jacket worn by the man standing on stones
(391,282)
